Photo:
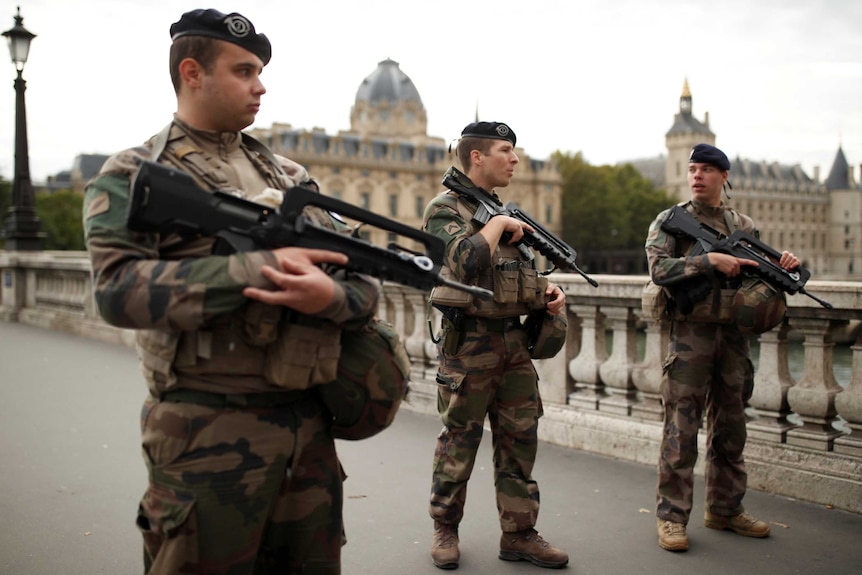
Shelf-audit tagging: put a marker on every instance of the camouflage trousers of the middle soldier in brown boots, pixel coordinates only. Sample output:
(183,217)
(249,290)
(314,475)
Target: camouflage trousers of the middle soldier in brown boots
(491,374)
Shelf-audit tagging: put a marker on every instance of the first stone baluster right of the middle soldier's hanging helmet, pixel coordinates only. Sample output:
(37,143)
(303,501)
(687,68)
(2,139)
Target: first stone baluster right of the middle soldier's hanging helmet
(584,369)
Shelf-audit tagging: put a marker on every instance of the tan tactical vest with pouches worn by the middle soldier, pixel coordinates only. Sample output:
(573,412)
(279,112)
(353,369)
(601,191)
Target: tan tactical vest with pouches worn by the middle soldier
(515,282)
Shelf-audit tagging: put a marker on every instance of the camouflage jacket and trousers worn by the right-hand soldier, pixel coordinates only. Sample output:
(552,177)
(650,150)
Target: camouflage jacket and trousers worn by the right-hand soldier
(707,367)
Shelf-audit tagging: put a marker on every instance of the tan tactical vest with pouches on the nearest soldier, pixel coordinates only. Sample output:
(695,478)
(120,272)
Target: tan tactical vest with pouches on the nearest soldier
(258,347)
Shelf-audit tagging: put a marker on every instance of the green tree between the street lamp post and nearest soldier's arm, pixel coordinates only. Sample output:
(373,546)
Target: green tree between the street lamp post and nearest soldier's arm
(60,213)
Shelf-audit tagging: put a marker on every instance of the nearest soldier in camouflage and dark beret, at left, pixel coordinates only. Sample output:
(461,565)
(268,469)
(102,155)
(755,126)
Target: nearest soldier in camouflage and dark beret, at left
(243,473)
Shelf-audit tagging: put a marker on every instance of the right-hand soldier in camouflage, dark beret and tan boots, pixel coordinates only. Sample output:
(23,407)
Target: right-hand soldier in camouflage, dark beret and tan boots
(708,365)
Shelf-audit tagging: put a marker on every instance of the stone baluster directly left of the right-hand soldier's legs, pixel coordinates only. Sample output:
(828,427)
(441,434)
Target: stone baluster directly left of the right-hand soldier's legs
(647,374)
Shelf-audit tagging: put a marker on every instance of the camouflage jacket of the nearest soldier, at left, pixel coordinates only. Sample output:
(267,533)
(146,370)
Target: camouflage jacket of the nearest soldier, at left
(170,284)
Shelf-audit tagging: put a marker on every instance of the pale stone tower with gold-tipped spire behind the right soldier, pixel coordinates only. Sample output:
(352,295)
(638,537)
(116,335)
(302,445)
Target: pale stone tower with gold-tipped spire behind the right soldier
(685,133)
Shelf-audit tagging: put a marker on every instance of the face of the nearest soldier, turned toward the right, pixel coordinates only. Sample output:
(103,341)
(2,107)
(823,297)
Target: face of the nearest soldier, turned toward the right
(231,92)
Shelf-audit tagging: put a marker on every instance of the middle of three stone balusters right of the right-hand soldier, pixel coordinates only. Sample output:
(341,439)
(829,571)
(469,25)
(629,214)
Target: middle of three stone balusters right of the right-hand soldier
(813,398)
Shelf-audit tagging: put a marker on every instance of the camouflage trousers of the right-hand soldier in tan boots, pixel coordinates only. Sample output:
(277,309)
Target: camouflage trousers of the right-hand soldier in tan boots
(707,368)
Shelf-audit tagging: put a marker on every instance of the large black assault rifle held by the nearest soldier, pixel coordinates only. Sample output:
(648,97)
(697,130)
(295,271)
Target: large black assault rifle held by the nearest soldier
(164,199)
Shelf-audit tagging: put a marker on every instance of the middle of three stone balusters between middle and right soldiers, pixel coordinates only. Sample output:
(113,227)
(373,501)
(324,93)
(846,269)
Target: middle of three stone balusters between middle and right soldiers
(616,372)
